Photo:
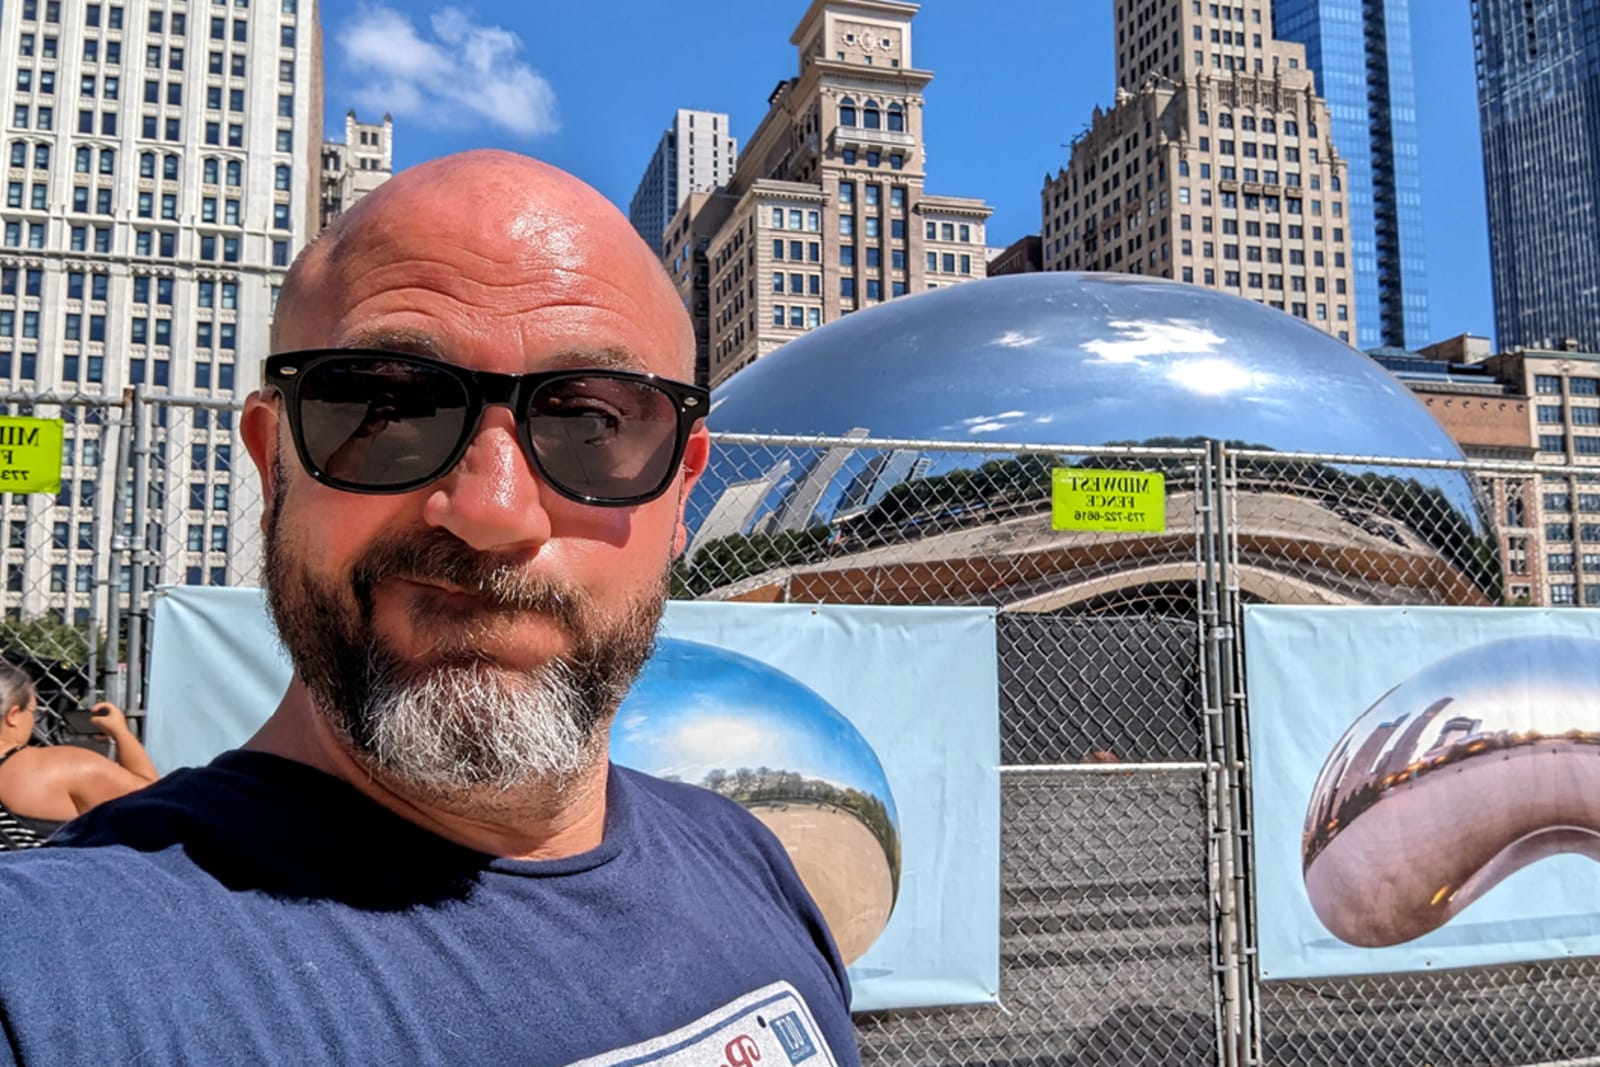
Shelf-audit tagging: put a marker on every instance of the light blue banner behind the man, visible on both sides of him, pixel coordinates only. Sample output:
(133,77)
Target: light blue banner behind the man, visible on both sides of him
(866,738)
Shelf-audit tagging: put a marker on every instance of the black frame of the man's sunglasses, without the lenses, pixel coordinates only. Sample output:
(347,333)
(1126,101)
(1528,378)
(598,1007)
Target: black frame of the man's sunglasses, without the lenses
(287,370)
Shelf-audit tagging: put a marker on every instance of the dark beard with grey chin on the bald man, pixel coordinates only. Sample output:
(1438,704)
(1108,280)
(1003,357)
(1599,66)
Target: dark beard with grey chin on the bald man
(457,721)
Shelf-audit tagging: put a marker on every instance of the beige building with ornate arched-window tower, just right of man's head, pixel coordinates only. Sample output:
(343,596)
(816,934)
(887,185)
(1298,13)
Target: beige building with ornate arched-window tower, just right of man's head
(826,212)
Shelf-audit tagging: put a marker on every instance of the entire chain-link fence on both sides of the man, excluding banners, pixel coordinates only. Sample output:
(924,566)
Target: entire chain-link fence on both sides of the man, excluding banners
(1127,911)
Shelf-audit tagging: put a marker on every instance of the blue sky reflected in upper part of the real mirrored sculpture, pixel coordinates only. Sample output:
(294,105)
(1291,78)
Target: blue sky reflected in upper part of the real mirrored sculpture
(1057,359)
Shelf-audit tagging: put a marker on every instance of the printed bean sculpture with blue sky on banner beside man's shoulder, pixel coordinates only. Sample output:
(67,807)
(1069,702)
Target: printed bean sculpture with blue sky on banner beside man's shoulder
(750,732)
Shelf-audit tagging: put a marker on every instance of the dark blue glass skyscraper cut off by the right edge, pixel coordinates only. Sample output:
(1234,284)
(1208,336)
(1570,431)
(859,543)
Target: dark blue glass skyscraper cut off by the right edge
(1540,118)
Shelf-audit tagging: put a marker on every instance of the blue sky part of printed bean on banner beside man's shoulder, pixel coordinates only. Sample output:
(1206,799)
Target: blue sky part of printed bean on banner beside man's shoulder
(697,708)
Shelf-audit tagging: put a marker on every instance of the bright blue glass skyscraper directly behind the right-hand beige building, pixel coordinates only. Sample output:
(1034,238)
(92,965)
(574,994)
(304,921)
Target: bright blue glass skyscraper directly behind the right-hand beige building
(1361,52)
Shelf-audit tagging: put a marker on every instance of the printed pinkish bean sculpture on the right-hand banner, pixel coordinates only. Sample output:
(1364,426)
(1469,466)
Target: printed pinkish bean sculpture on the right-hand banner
(1462,775)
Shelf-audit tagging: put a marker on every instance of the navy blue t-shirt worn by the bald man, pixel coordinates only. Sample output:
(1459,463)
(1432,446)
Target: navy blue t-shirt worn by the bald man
(260,911)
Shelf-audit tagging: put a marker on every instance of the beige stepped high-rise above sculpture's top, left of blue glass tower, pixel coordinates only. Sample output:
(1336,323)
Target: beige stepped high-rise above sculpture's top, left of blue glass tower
(1214,167)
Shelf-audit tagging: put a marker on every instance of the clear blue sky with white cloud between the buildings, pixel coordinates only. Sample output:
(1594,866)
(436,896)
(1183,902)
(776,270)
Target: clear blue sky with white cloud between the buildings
(591,87)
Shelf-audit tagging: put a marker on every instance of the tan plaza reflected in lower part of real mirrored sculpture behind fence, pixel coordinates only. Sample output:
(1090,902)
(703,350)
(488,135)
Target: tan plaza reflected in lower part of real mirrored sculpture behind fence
(1292,551)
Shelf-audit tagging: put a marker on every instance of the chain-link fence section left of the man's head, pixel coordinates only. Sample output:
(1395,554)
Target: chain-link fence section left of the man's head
(153,494)
